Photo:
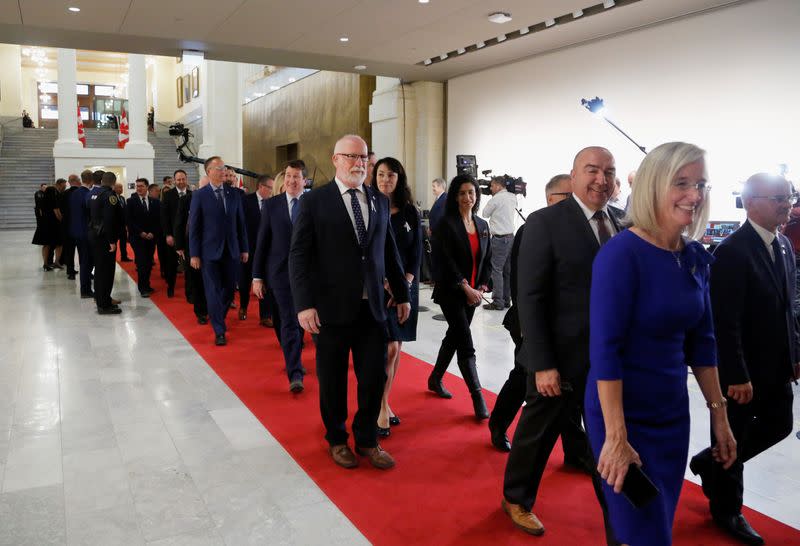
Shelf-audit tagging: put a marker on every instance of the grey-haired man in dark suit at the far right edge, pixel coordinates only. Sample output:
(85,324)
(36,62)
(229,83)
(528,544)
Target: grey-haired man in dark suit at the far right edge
(753,300)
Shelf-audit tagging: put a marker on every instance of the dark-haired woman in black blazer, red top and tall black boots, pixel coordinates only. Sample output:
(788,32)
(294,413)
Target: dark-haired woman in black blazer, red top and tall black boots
(463,256)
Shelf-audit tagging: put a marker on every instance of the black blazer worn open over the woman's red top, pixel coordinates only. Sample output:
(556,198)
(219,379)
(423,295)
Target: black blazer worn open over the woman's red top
(454,257)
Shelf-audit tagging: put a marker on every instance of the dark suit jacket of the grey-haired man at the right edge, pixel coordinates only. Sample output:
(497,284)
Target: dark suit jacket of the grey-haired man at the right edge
(757,337)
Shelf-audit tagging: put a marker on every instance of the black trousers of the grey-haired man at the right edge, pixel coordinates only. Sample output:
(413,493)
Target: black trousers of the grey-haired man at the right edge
(757,426)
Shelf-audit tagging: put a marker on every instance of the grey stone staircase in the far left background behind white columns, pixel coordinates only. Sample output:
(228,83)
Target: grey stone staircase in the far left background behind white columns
(26,161)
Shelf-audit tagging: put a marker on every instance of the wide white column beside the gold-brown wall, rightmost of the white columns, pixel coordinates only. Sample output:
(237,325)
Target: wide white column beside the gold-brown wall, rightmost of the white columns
(222,113)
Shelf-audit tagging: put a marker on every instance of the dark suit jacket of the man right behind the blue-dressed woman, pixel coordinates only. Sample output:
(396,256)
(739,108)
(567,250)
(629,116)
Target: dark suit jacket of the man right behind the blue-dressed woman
(554,279)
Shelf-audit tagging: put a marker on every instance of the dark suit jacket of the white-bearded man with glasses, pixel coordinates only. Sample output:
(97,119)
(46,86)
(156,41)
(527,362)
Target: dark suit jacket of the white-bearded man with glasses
(328,269)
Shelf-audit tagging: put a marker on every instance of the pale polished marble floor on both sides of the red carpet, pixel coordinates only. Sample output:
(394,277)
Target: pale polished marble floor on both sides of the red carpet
(113,430)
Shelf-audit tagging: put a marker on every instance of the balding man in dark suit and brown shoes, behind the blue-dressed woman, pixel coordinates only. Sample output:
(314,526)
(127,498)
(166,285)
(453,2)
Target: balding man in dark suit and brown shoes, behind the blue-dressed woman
(554,279)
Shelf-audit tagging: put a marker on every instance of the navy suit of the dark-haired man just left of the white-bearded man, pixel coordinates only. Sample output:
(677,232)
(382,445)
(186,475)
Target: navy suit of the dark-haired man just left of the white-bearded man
(271,265)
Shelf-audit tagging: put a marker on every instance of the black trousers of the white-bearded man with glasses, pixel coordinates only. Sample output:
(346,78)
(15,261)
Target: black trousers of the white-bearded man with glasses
(366,339)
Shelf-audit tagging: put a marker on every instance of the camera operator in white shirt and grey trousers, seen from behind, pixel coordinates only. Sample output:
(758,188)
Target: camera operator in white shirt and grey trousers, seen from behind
(500,212)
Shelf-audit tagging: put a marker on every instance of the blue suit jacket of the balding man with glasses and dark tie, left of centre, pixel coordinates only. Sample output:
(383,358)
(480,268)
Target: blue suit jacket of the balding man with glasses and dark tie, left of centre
(215,233)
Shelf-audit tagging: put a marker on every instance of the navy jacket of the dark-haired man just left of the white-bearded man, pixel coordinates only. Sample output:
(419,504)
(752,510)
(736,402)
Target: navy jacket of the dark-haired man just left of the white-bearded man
(271,260)
